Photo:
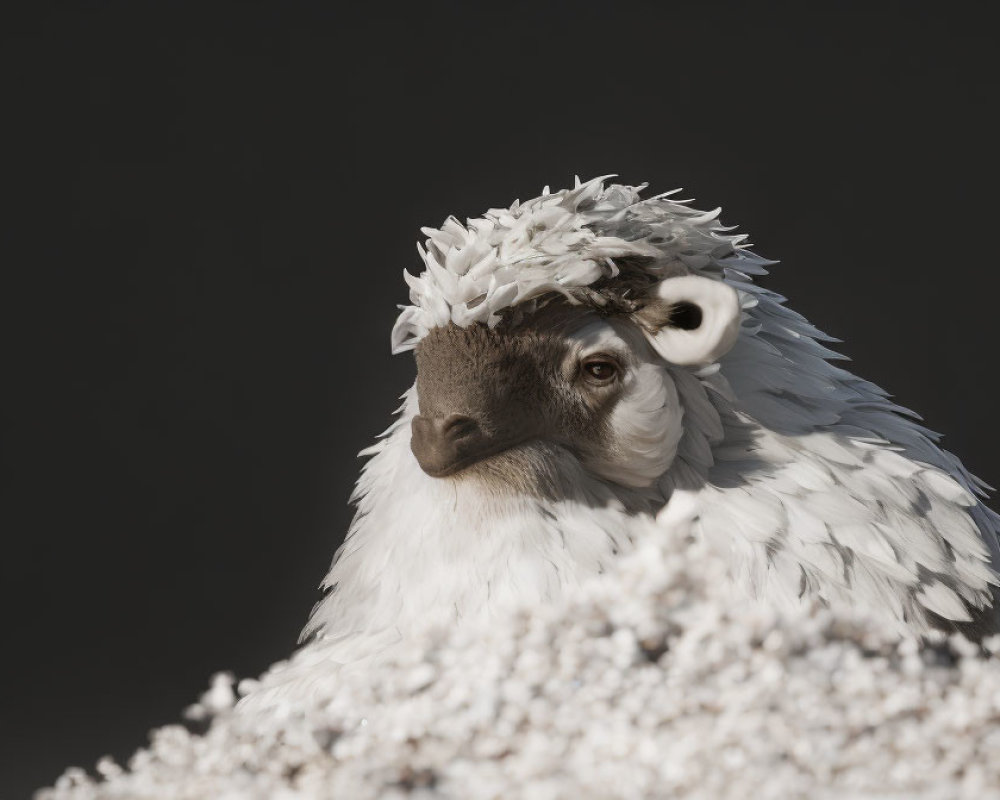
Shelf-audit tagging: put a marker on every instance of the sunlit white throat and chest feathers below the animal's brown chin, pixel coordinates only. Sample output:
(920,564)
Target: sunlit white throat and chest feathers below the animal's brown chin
(423,548)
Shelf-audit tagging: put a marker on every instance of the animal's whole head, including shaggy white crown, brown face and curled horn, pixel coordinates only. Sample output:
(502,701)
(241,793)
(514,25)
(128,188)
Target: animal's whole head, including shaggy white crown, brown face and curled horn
(564,321)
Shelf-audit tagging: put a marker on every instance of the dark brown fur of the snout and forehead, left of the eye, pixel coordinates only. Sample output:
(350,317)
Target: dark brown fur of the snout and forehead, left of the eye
(483,391)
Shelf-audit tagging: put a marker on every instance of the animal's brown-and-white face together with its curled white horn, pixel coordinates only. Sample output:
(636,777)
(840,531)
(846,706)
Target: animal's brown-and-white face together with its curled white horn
(576,377)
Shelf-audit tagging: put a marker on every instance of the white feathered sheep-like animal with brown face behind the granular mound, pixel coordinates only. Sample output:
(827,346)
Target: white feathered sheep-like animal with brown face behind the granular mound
(589,362)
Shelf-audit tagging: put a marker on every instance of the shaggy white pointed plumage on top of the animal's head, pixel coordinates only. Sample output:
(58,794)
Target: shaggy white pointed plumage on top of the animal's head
(592,244)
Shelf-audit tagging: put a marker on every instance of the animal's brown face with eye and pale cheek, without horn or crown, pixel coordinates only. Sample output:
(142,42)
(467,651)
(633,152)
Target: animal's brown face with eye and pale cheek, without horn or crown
(563,379)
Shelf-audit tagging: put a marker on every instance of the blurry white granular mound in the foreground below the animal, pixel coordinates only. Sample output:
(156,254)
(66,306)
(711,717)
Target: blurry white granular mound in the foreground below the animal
(653,681)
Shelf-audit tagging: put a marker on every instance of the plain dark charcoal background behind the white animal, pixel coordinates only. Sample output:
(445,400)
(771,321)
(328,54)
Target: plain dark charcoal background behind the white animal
(208,211)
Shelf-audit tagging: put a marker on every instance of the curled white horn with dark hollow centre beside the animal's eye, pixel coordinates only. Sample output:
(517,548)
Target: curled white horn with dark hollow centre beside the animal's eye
(691,320)
